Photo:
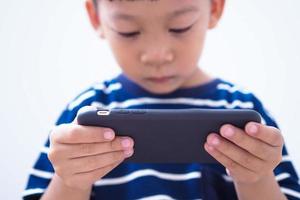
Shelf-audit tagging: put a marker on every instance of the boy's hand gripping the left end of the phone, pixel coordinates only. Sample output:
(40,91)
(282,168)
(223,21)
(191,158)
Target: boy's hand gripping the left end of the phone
(82,155)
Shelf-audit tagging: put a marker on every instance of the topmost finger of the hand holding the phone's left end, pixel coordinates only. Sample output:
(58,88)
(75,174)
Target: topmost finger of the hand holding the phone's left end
(76,134)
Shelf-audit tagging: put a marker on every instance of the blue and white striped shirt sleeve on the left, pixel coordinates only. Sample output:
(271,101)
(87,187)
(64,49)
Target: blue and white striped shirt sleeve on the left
(42,171)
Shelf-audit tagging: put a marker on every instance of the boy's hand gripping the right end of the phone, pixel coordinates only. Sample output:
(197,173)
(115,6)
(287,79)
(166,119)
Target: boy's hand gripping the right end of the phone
(248,155)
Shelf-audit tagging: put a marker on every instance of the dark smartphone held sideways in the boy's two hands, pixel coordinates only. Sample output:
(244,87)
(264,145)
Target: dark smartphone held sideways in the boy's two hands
(167,135)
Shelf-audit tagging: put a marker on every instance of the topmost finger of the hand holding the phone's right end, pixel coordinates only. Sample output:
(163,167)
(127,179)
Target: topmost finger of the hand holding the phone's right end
(267,134)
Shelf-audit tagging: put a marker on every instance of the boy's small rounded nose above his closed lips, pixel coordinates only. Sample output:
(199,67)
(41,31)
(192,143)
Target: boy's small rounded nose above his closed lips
(157,56)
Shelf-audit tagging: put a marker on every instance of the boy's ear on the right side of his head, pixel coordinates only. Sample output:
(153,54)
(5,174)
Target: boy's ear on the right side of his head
(217,7)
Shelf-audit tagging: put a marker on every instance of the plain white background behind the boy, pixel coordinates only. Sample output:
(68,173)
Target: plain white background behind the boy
(49,53)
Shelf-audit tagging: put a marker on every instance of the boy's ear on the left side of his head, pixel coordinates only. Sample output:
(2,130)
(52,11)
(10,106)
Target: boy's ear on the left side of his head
(94,17)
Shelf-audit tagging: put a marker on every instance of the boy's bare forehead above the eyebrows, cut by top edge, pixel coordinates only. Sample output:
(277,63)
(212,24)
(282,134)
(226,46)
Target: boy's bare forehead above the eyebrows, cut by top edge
(130,10)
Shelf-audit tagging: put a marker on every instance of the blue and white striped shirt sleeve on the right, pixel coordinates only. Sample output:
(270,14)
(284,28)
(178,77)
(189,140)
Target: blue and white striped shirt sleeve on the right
(285,172)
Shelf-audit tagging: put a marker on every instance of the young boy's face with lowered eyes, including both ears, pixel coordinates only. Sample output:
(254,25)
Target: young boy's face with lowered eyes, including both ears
(157,43)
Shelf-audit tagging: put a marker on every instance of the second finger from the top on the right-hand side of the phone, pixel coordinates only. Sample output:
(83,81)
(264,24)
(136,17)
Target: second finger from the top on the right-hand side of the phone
(254,146)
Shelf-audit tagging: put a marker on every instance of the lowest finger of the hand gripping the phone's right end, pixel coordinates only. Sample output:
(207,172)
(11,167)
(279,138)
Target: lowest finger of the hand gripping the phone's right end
(228,163)
